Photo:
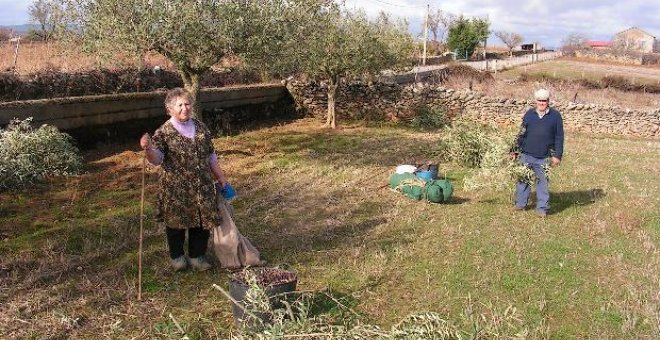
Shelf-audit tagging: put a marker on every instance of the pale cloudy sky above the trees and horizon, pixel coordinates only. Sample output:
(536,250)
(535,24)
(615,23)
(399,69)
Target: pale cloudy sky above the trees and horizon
(546,21)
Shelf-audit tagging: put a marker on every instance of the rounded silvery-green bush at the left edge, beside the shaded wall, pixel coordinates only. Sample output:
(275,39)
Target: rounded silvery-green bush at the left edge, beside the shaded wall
(29,155)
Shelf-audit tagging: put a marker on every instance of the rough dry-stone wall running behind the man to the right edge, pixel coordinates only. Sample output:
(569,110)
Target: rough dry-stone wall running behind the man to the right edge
(398,102)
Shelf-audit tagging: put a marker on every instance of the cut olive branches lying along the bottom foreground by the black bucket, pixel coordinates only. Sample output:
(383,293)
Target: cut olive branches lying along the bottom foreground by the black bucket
(301,319)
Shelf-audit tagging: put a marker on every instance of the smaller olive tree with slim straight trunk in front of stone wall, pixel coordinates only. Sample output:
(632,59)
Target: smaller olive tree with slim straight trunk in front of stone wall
(341,45)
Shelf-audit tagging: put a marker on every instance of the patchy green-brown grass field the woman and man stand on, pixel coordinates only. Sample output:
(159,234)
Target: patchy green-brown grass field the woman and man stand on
(313,199)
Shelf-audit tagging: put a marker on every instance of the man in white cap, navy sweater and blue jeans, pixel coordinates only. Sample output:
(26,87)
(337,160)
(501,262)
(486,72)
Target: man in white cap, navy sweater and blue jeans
(541,136)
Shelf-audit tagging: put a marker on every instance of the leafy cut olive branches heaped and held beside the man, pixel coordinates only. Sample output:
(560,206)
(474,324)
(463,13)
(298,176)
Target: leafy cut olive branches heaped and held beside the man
(484,149)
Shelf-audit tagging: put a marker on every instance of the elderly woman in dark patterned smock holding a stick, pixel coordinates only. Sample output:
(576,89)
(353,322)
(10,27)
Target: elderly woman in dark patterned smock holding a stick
(187,199)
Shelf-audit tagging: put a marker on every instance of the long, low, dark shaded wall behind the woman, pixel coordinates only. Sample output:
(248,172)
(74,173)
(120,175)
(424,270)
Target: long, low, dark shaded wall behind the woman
(110,118)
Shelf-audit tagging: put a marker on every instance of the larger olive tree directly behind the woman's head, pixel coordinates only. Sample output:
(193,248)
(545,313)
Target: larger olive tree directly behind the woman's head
(193,34)
